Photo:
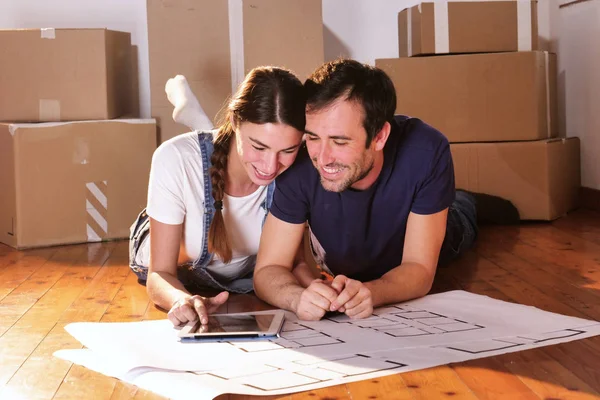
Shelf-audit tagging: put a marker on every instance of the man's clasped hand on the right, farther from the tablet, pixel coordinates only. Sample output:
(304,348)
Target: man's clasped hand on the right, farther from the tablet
(354,298)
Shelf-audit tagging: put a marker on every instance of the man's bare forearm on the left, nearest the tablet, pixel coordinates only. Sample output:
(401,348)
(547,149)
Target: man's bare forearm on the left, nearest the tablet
(277,286)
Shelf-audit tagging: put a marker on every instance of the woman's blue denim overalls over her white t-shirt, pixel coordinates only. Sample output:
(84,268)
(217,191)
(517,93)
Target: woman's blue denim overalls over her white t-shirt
(195,273)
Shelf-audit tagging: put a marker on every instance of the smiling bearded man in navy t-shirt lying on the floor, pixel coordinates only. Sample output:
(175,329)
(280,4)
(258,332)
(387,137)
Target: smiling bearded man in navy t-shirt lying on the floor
(378,194)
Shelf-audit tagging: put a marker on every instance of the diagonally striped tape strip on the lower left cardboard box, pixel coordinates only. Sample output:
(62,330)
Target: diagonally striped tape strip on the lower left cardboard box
(96,205)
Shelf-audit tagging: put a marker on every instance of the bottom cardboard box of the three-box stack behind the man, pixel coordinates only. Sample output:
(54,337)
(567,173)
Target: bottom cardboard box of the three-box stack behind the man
(541,178)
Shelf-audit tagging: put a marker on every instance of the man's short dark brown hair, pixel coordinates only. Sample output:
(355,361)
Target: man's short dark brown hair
(351,80)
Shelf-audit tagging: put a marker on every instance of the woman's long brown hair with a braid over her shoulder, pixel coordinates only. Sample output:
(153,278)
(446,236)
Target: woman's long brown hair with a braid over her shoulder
(267,95)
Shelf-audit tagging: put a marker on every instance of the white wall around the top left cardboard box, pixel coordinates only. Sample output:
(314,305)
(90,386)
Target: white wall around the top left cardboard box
(122,15)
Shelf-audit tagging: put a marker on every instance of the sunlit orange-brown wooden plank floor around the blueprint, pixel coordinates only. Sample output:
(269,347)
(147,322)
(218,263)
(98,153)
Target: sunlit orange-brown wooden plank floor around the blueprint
(555,267)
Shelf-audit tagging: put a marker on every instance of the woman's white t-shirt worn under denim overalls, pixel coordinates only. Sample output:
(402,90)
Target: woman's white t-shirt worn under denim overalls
(176,195)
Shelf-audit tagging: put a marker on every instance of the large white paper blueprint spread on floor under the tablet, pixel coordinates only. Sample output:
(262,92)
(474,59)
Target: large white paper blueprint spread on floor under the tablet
(434,330)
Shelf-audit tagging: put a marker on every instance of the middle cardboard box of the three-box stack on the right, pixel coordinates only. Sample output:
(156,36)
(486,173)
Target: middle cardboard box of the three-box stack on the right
(479,97)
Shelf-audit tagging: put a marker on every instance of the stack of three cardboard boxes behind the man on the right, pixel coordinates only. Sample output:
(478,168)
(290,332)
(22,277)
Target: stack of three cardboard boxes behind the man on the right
(474,71)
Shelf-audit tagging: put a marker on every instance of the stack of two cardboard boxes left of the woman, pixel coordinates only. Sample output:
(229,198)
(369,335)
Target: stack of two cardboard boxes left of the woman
(72,167)
